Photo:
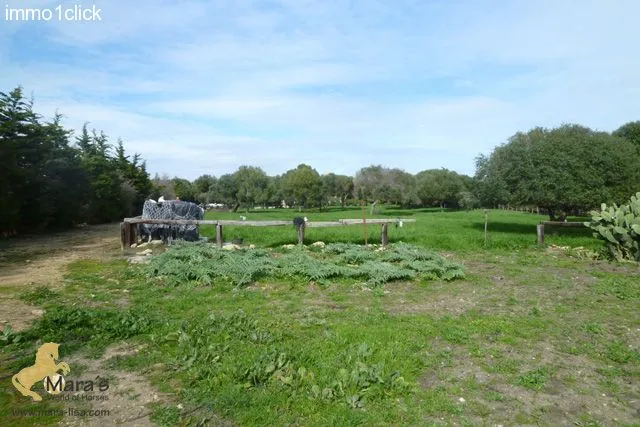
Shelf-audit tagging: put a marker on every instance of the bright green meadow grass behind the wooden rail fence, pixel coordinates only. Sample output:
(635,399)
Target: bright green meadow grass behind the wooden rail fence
(449,230)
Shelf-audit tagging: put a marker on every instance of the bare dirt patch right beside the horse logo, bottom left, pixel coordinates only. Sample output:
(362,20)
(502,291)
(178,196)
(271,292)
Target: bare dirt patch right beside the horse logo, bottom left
(125,402)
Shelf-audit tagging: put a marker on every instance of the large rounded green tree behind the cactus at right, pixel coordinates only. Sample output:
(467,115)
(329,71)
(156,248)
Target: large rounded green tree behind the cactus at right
(568,168)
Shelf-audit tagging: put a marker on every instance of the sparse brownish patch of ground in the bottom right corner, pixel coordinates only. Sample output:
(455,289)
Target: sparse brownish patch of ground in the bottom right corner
(571,389)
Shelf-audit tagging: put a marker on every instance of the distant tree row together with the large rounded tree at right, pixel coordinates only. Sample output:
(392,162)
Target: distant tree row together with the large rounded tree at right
(565,170)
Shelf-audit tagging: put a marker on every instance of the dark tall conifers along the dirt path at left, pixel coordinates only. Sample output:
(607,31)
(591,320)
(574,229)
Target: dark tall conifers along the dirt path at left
(50,179)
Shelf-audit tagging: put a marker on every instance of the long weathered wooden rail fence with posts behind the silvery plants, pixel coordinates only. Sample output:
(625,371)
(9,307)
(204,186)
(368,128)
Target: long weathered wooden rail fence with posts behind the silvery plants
(129,230)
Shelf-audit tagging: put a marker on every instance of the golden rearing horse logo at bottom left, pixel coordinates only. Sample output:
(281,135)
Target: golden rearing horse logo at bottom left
(45,369)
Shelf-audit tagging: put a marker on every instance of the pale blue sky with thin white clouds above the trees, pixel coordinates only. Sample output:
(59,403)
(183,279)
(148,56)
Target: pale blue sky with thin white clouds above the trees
(206,86)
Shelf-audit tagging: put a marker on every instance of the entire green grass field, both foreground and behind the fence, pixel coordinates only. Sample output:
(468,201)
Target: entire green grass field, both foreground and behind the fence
(529,336)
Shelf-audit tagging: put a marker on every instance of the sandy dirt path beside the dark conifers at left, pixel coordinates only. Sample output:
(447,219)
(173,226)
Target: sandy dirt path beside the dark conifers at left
(32,261)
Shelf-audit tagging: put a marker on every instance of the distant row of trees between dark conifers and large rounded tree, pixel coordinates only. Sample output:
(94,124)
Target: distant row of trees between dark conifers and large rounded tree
(304,187)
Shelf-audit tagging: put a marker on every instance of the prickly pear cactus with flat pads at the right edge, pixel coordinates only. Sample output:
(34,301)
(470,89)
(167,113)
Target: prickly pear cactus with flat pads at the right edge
(619,227)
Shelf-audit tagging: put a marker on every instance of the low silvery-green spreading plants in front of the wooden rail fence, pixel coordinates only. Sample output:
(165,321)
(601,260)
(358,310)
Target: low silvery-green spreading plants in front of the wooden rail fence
(203,264)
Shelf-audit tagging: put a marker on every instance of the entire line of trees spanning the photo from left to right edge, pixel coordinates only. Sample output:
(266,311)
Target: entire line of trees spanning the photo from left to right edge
(52,179)
